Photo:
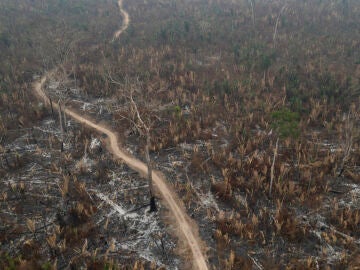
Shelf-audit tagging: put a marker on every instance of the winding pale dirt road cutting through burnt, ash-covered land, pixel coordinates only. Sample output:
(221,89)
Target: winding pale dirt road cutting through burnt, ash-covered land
(185,230)
